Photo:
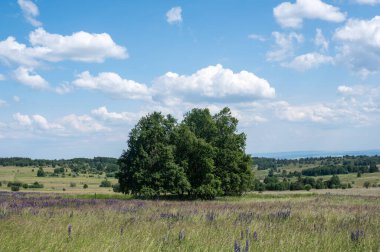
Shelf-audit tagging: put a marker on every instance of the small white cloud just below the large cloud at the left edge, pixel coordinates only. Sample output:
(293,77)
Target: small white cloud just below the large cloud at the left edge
(27,77)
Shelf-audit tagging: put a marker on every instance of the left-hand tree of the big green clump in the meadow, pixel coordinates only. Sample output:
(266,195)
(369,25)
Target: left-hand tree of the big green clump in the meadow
(148,166)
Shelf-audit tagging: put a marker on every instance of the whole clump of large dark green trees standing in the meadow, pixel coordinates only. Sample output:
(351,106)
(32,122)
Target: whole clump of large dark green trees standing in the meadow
(202,157)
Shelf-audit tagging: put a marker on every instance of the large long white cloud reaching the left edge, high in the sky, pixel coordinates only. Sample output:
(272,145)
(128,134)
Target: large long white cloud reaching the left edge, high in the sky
(79,46)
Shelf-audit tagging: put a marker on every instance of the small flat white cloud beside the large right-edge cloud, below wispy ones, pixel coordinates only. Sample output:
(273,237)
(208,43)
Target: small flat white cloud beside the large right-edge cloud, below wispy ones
(308,61)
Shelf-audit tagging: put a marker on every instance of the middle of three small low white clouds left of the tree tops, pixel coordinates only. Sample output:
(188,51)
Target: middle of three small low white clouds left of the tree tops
(83,123)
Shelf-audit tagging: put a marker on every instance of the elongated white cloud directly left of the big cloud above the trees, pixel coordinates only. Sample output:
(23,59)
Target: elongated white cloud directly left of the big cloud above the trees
(113,84)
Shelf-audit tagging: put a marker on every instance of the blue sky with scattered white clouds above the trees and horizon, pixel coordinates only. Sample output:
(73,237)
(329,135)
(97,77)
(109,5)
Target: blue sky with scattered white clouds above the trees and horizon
(76,76)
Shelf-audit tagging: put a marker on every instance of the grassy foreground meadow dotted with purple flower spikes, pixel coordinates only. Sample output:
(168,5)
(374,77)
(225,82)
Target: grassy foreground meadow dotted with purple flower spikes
(286,222)
